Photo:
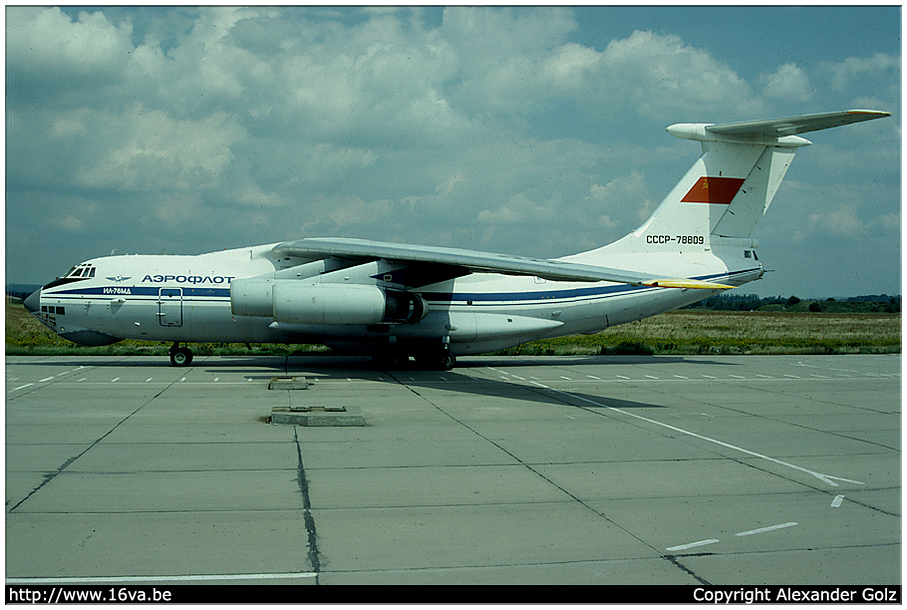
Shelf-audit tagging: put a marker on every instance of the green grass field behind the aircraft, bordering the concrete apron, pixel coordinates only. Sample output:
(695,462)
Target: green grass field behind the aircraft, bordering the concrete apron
(678,332)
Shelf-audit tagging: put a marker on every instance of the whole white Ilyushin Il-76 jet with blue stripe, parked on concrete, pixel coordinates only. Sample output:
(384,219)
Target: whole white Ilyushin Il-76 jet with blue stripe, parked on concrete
(398,301)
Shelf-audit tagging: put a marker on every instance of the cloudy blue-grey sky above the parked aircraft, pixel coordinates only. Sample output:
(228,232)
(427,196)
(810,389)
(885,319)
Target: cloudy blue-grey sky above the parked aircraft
(536,131)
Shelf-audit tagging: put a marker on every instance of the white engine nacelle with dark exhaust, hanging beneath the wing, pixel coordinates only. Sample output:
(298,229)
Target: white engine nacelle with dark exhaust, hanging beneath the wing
(300,302)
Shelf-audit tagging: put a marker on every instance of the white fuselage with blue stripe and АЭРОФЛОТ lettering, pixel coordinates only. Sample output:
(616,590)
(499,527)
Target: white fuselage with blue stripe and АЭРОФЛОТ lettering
(188,299)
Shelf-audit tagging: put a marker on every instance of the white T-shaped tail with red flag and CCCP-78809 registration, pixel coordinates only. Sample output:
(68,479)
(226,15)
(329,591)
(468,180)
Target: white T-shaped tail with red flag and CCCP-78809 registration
(729,188)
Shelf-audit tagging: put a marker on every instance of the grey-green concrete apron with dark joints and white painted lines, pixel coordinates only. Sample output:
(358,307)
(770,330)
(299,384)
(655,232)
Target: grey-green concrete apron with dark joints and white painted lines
(722,470)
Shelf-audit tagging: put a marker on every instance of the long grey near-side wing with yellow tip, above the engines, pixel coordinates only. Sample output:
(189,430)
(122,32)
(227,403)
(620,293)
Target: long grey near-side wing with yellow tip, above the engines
(479,262)
